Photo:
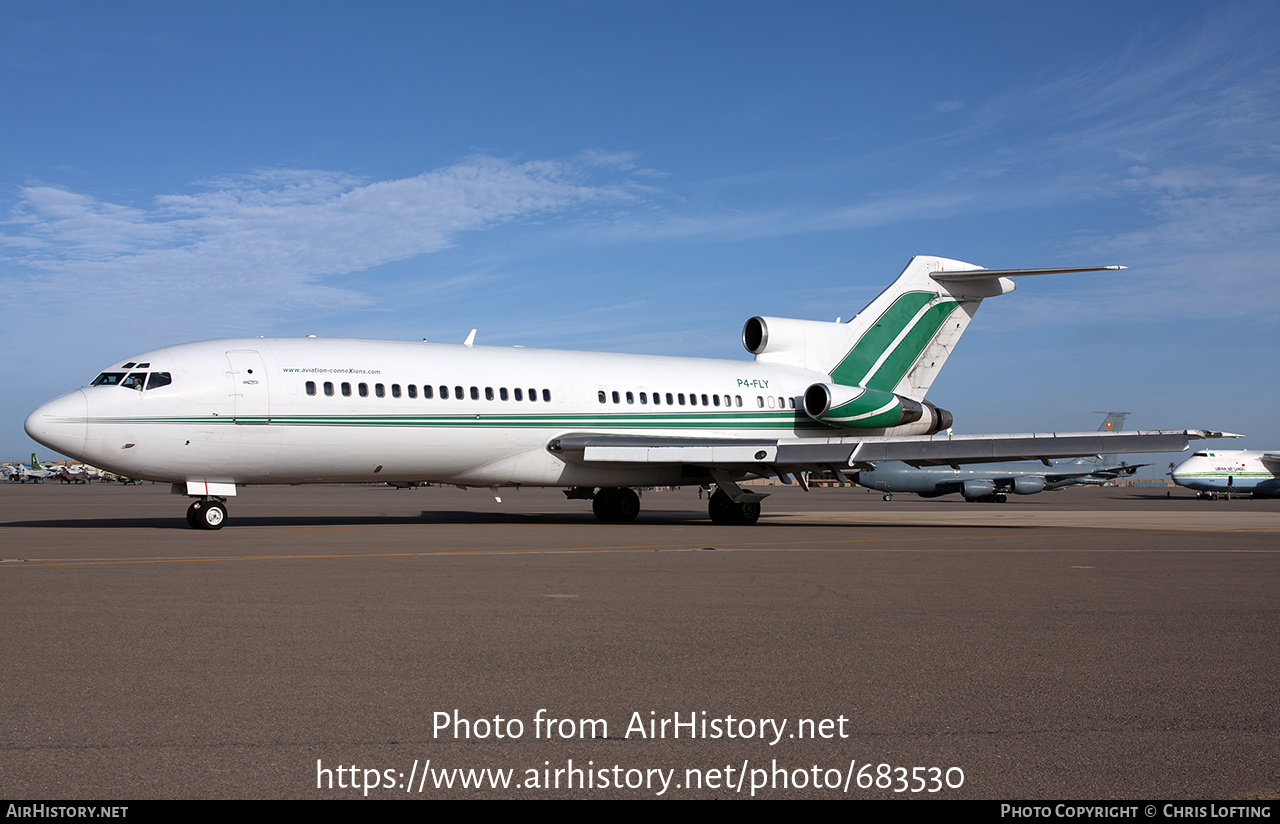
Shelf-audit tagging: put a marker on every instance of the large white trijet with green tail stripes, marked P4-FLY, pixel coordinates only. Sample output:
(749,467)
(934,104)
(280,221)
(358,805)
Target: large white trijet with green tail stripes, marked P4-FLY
(212,416)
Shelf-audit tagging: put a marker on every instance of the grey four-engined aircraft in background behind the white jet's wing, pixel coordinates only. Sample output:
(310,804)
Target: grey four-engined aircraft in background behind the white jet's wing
(991,483)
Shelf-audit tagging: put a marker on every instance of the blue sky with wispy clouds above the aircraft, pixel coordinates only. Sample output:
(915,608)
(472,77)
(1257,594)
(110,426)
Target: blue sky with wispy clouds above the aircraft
(644,177)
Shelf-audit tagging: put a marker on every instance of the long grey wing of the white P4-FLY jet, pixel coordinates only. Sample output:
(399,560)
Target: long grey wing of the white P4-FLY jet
(802,454)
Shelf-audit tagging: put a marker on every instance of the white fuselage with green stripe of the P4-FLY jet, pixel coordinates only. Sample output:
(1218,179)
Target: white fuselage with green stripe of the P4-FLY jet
(301,411)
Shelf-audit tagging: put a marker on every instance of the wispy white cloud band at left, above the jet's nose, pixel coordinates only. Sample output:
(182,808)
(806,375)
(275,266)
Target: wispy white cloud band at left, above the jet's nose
(275,237)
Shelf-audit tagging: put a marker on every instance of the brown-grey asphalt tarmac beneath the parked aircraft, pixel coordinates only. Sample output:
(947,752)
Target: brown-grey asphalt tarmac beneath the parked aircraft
(1086,644)
